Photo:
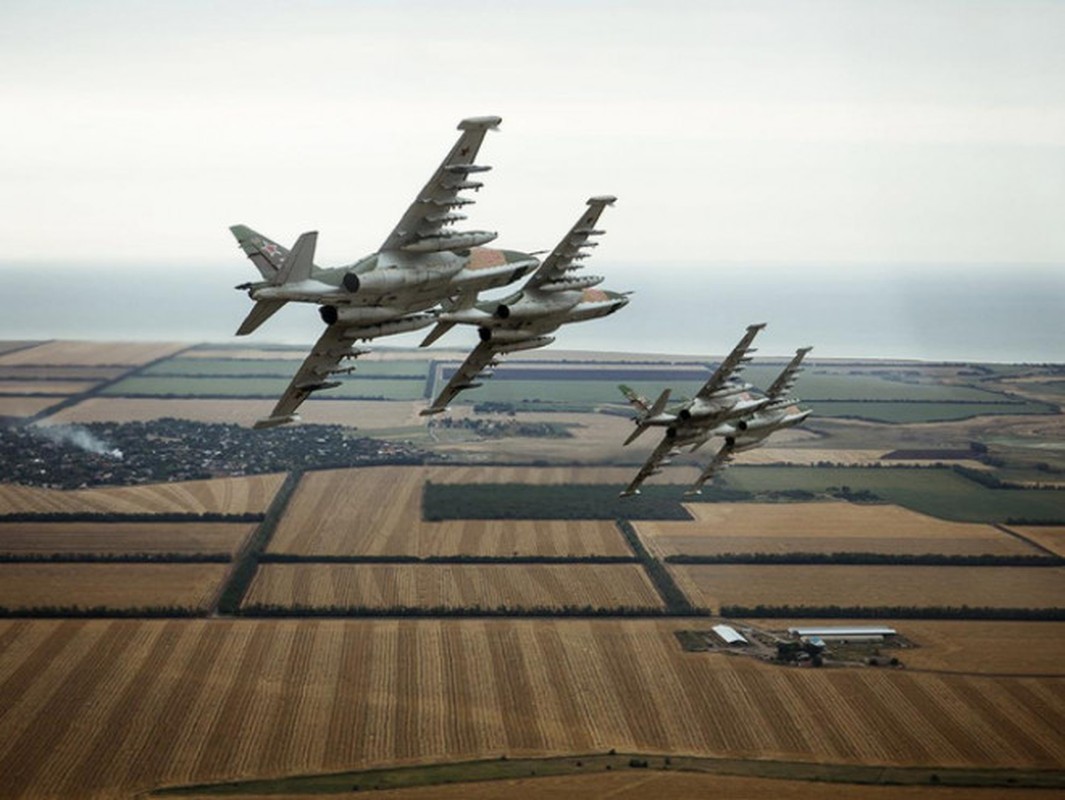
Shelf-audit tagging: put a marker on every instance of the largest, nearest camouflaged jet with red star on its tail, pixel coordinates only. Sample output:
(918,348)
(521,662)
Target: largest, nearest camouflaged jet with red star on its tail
(421,264)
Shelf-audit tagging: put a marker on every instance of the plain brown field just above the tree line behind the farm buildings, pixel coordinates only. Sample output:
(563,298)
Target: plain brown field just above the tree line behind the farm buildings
(1001,587)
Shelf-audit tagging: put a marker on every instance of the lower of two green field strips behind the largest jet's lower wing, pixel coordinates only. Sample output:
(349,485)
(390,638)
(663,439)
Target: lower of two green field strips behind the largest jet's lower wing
(395,389)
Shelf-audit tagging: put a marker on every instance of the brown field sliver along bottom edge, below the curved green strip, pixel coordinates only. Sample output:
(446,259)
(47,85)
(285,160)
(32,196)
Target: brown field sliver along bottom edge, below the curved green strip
(642,785)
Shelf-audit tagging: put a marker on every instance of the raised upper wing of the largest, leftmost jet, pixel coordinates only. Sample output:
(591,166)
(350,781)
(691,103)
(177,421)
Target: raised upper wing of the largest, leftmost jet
(425,225)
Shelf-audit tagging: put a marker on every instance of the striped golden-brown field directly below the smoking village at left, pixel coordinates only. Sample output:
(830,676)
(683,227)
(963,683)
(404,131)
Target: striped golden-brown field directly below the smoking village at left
(250,495)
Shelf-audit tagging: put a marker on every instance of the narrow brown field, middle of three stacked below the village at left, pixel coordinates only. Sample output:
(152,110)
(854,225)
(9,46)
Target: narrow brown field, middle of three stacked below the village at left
(23,538)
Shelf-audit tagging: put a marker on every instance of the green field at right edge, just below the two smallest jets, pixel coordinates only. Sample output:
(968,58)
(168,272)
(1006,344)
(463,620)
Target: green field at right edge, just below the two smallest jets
(938,492)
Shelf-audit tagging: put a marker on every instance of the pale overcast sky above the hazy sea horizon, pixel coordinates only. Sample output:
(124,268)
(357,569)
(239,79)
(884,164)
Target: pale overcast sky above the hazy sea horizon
(854,137)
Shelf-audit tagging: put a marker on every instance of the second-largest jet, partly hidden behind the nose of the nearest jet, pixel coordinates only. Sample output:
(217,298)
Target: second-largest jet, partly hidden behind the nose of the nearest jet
(523,321)
